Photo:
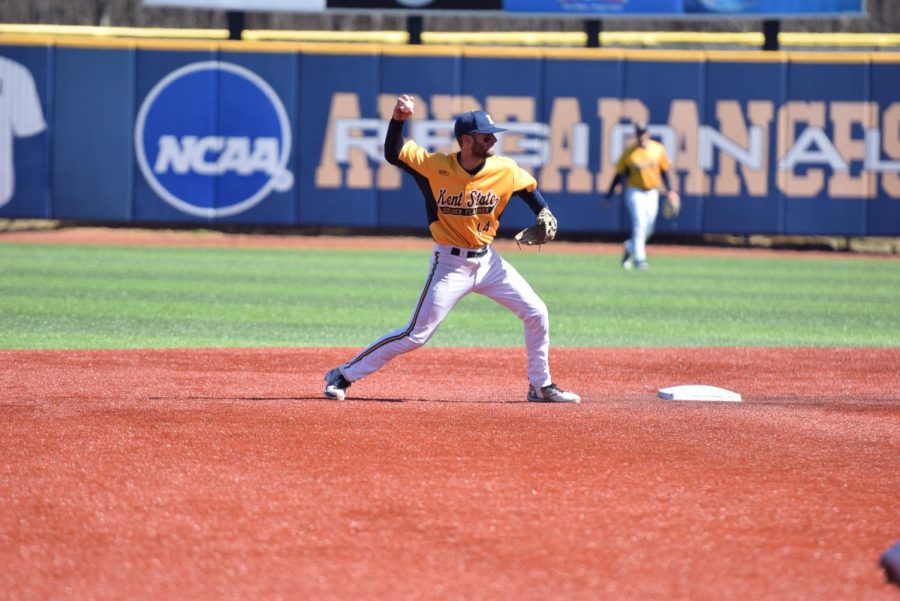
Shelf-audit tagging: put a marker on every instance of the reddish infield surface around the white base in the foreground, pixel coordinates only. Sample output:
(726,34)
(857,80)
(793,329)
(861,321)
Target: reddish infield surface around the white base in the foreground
(223,474)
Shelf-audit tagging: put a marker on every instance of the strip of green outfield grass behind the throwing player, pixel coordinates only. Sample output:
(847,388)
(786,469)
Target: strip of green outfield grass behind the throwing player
(55,297)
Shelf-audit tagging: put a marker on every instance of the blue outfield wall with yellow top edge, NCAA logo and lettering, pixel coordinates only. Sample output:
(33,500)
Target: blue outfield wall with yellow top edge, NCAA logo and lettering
(290,134)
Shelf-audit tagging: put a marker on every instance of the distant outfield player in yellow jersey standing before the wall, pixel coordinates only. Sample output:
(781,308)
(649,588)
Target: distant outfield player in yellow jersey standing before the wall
(645,168)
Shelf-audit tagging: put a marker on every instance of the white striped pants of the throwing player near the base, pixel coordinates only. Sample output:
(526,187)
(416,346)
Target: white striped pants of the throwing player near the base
(449,279)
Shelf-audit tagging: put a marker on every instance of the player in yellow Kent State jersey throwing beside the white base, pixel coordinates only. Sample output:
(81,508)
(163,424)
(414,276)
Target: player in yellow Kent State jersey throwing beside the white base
(465,195)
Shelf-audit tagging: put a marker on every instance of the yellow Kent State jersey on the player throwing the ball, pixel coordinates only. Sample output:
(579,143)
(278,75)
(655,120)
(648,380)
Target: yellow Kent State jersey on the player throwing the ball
(466,207)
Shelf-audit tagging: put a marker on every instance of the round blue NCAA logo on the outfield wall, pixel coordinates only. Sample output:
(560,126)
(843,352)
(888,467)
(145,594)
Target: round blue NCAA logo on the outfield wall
(213,139)
